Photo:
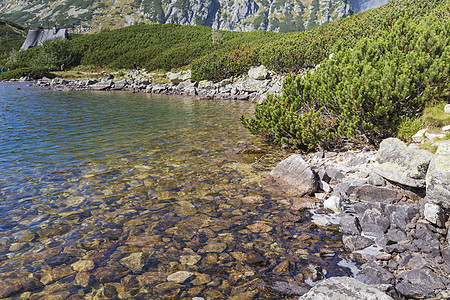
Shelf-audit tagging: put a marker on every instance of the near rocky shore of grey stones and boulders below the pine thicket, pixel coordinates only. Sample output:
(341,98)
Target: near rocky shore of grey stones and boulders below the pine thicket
(392,207)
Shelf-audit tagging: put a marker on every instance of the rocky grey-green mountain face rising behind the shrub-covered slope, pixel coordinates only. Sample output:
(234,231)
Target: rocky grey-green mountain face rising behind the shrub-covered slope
(240,15)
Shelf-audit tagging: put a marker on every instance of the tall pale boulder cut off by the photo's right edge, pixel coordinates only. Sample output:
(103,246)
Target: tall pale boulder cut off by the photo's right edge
(438,177)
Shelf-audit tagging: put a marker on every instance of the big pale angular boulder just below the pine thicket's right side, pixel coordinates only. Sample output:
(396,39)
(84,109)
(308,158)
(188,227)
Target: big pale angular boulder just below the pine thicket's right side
(398,163)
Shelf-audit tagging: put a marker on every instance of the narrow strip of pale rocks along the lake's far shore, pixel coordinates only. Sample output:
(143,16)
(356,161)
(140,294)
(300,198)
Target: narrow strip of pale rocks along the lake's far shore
(253,86)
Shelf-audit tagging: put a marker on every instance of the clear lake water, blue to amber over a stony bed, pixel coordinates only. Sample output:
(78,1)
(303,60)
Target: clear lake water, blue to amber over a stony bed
(106,195)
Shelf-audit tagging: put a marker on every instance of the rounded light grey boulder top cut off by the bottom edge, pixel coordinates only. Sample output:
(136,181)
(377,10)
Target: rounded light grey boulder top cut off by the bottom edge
(344,288)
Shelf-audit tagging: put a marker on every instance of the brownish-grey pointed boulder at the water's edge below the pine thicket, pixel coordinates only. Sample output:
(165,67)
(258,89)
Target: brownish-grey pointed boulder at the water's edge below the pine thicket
(295,175)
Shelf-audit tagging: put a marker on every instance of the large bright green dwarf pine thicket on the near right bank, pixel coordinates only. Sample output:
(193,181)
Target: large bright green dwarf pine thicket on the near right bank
(369,86)
